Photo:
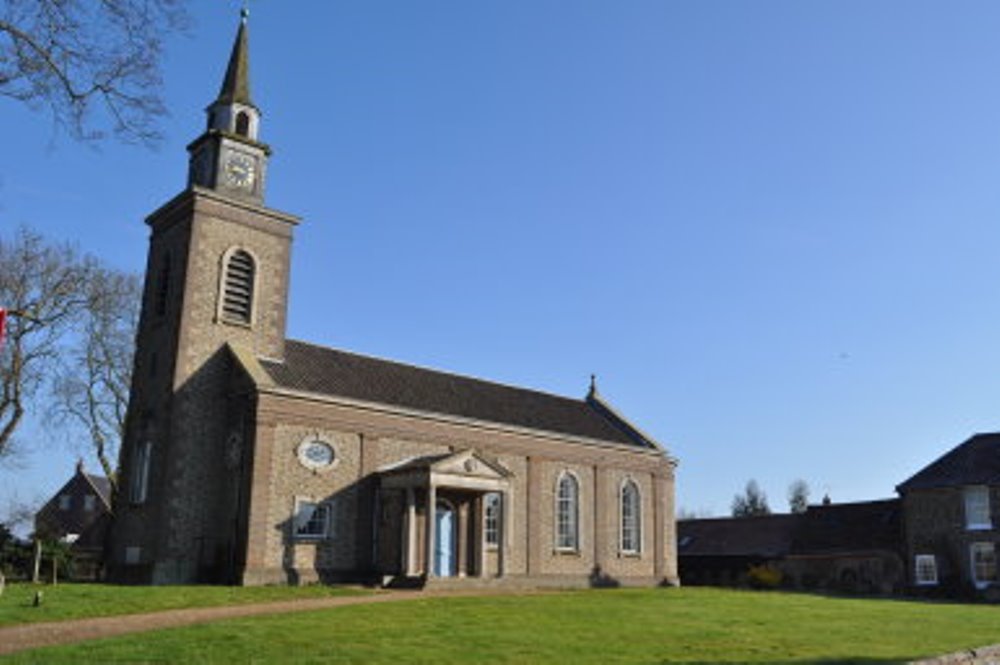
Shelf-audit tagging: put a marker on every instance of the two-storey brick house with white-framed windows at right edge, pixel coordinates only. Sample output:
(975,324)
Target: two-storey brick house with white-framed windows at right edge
(951,509)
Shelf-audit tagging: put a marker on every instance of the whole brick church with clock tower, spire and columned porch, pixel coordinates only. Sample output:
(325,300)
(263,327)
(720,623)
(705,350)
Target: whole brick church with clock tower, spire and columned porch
(249,458)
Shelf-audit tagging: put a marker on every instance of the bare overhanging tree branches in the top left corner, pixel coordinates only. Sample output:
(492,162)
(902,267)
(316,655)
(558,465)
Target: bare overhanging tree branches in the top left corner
(95,64)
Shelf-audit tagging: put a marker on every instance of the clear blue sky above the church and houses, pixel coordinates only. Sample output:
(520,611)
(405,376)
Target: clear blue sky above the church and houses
(770,228)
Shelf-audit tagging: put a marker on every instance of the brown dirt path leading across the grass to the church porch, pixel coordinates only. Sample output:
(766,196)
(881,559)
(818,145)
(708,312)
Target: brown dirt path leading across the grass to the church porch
(34,635)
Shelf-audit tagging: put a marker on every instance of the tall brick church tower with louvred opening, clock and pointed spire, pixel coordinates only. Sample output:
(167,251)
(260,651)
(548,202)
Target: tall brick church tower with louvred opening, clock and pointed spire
(217,278)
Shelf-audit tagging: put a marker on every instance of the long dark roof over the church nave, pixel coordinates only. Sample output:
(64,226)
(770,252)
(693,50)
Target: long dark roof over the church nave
(326,371)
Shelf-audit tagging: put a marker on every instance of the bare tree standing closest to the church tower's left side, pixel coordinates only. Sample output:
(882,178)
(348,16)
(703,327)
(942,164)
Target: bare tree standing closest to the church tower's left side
(91,388)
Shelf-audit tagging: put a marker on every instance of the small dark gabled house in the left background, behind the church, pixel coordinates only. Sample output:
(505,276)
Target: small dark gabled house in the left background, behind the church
(79,514)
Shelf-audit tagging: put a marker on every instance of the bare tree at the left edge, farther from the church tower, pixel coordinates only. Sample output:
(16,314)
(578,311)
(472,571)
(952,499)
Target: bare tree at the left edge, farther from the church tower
(40,284)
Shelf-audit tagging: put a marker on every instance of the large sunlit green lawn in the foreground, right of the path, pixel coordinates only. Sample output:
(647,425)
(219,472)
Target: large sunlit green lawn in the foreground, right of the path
(649,625)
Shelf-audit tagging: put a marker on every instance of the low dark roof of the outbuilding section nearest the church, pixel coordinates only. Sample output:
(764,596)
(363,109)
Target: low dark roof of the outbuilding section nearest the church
(767,536)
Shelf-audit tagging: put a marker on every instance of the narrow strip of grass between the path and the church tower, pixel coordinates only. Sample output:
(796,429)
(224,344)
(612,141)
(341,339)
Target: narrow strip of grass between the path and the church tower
(78,601)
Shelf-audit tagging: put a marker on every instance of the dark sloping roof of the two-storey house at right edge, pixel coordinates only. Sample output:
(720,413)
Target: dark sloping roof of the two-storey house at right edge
(975,462)
